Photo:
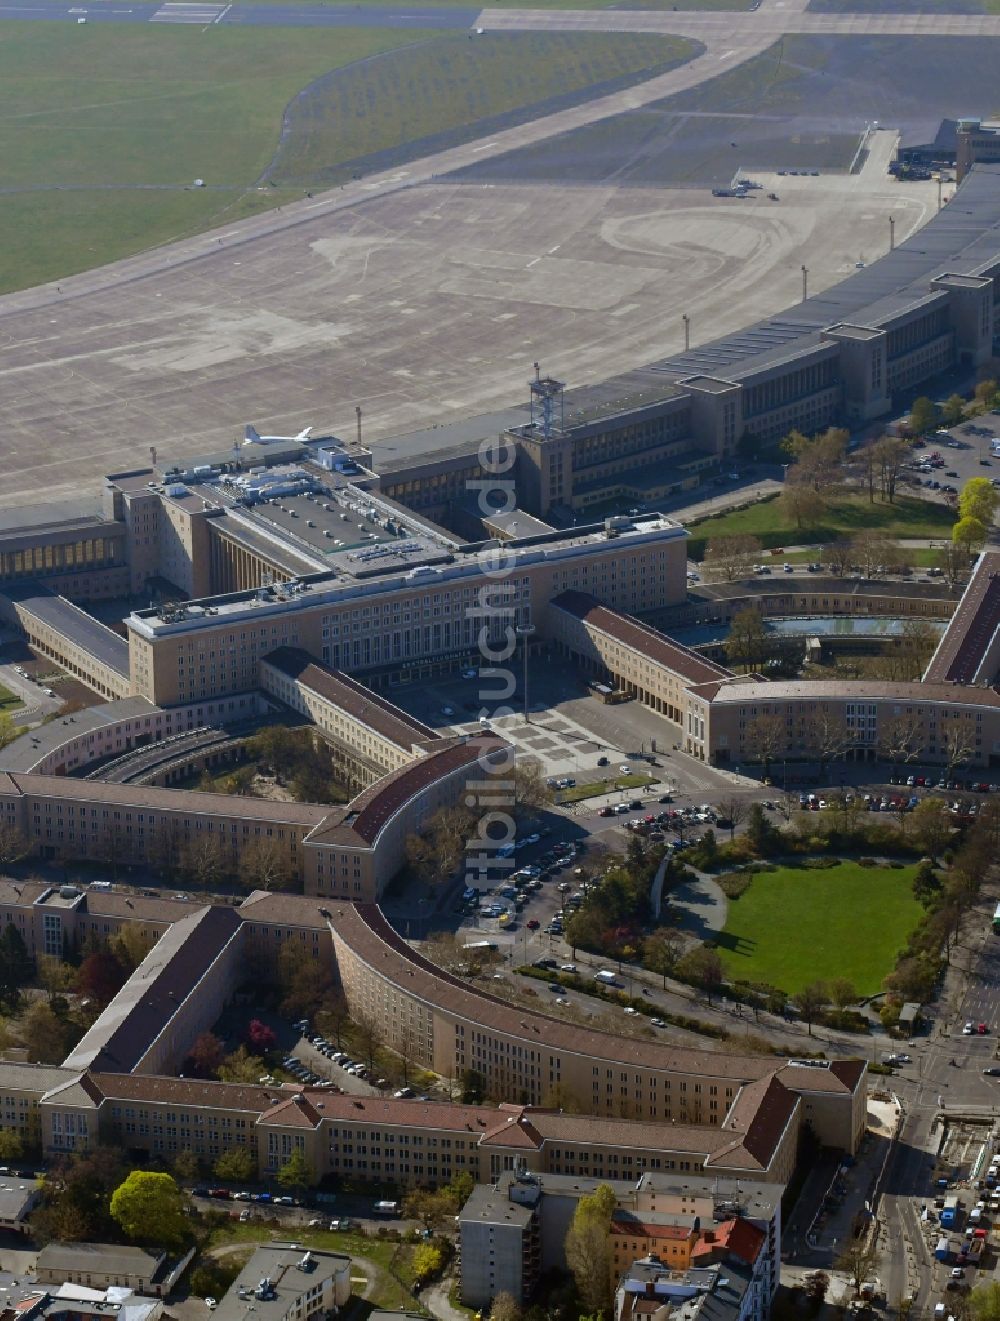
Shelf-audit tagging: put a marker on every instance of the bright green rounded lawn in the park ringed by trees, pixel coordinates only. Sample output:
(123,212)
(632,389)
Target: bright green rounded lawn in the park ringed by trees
(797,925)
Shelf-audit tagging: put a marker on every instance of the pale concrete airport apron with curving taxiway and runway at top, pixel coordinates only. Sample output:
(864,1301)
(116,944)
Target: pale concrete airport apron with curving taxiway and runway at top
(423,301)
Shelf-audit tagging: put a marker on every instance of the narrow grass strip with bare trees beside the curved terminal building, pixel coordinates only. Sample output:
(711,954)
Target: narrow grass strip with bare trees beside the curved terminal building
(843,517)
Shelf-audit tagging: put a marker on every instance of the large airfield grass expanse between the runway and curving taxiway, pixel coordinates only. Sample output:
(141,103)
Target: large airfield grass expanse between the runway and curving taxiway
(105,127)
